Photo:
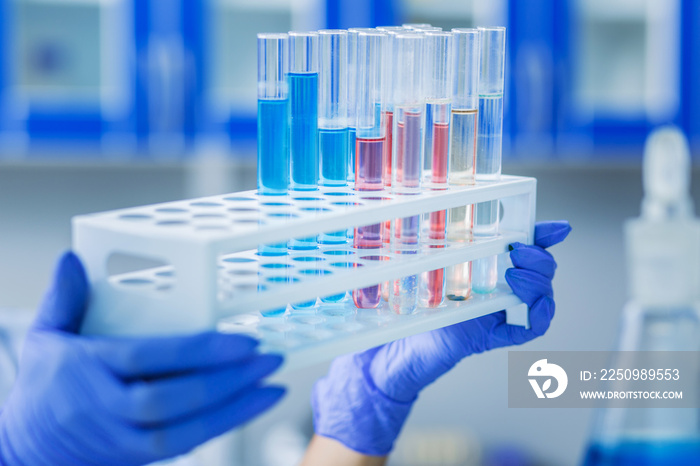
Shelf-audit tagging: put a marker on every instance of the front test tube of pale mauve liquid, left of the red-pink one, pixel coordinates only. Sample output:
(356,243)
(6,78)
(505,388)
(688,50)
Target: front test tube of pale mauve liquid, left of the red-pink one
(409,123)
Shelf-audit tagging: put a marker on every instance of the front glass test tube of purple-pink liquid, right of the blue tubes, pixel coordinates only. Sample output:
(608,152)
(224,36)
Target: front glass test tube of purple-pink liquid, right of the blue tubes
(369,145)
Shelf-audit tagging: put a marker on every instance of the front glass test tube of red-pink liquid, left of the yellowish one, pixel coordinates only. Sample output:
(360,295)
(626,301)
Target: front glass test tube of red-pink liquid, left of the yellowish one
(438,95)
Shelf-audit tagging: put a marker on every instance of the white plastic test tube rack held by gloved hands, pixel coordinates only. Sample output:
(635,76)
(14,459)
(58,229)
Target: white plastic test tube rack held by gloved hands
(214,277)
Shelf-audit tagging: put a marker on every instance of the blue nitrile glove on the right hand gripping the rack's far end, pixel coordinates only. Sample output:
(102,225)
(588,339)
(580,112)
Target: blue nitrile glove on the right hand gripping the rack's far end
(366,397)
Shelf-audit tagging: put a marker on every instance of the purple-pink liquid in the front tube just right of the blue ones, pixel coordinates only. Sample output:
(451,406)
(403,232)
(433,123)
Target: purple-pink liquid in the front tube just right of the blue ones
(369,154)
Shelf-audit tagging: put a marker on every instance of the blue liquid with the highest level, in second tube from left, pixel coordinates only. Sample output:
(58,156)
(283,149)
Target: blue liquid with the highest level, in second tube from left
(303,100)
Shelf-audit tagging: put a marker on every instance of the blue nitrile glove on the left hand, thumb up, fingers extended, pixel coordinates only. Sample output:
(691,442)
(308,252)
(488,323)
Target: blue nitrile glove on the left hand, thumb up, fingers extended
(82,400)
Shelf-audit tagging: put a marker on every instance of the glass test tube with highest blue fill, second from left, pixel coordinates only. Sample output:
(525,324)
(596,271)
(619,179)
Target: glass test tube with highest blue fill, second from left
(303,118)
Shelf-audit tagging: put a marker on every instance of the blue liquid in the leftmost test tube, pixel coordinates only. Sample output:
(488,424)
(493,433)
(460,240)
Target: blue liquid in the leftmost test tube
(273,146)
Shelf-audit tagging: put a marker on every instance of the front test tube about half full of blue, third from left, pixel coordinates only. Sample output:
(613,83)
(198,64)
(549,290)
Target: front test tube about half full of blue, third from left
(333,122)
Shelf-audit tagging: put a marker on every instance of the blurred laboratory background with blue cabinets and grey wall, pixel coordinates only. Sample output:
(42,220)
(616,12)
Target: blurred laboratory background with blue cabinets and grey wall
(107,104)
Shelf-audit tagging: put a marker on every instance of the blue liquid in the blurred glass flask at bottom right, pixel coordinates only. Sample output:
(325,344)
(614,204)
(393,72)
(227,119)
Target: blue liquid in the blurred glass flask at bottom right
(657,453)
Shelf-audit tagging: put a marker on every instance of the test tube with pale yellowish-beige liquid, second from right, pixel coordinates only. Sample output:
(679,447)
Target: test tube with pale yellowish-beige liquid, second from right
(465,107)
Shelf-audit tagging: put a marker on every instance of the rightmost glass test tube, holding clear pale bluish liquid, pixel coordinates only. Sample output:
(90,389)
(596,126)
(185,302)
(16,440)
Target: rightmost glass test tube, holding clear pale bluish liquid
(488,147)
